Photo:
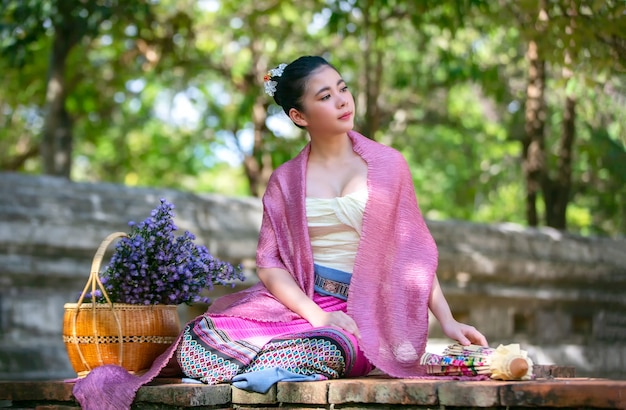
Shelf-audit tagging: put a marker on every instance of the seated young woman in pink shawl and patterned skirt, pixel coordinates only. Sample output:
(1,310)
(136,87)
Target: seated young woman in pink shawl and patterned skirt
(345,261)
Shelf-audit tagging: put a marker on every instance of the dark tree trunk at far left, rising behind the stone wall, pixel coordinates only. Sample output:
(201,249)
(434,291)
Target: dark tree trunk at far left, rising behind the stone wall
(56,142)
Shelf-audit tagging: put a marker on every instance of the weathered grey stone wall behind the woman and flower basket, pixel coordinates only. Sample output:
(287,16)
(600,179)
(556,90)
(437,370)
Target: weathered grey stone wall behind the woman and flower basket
(562,296)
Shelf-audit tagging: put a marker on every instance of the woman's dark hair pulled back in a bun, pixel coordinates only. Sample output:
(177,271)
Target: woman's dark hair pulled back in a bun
(292,83)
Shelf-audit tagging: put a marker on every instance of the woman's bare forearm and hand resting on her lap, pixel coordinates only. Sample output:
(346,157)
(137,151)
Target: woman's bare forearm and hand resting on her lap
(282,285)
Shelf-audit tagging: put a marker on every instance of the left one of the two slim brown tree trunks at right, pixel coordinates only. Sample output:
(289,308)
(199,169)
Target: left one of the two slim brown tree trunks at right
(533,162)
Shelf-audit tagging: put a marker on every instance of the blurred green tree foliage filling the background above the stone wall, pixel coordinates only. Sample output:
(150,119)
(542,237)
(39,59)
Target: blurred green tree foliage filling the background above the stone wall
(169,93)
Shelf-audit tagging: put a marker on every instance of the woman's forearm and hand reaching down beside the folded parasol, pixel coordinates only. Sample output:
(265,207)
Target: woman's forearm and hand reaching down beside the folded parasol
(461,332)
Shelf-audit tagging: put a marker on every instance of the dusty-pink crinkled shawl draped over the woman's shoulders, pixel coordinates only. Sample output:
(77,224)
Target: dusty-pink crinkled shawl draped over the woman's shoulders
(394,267)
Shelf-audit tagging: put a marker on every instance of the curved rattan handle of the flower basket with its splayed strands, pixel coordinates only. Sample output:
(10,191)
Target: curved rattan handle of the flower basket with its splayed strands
(94,282)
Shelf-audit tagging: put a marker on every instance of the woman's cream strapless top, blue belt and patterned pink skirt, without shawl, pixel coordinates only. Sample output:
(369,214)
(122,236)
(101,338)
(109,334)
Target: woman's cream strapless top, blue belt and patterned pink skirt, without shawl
(255,354)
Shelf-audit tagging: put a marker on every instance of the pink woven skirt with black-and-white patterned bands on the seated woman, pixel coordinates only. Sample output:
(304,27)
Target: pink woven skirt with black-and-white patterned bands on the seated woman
(215,349)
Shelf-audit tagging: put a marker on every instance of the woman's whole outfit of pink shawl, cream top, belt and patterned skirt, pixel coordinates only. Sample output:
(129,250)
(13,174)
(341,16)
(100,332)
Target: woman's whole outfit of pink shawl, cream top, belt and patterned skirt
(243,334)
